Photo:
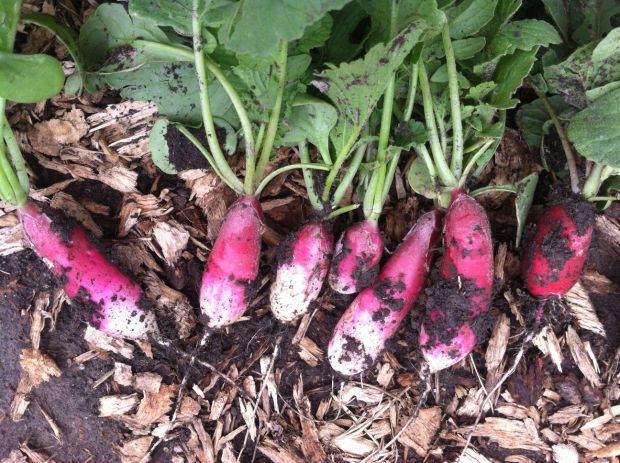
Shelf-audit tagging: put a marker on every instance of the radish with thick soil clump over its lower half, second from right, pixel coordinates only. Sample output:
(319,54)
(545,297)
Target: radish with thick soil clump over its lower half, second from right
(449,329)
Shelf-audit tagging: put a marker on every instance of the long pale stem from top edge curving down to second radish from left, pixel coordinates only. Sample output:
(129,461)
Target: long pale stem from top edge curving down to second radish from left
(205,106)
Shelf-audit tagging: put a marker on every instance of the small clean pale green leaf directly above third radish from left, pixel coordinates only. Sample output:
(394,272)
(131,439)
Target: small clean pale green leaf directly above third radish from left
(311,120)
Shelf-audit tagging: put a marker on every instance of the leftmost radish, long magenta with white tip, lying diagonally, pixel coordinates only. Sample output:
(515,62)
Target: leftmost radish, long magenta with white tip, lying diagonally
(121,309)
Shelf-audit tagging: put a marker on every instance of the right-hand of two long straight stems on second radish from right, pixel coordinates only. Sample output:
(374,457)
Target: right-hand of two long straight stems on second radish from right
(455,104)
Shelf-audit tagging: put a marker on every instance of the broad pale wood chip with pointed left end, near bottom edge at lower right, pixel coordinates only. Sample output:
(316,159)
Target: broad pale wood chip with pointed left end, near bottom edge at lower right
(510,434)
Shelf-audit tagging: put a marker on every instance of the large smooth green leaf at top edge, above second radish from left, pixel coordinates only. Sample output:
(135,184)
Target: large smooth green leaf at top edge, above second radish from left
(281,20)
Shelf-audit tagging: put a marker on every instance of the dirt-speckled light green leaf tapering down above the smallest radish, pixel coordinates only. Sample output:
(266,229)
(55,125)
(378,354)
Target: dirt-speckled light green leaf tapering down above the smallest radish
(355,88)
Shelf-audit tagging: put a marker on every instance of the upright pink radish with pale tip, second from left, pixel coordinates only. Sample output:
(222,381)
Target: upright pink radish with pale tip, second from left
(232,267)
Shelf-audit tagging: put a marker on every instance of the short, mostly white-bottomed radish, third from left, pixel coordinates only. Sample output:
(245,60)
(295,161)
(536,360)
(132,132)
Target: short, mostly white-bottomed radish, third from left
(303,263)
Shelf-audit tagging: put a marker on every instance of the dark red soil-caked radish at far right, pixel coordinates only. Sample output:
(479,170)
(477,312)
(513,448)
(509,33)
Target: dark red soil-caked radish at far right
(554,257)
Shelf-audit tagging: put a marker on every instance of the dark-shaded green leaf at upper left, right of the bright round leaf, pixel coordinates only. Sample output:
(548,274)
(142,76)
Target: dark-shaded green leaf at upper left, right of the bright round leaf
(111,27)
